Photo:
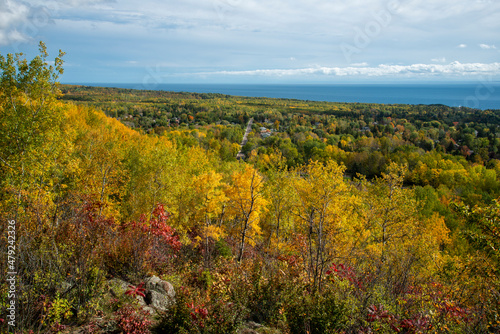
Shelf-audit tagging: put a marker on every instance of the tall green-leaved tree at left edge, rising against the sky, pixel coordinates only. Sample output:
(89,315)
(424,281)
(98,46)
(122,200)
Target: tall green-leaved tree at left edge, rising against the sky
(29,119)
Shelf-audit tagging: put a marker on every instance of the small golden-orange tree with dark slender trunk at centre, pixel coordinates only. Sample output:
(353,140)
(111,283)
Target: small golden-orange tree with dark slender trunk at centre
(246,205)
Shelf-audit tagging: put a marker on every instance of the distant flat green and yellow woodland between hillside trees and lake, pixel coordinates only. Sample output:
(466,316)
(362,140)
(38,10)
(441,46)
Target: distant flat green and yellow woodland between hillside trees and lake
(442,146)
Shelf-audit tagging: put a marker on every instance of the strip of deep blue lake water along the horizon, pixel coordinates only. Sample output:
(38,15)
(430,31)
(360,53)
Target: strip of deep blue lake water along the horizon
(481,95)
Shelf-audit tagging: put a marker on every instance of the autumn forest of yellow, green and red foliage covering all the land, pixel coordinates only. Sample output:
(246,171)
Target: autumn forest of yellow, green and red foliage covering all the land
(340,218)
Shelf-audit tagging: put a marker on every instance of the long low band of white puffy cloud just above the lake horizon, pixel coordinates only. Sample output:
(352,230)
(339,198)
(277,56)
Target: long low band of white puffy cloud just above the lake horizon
(452,69)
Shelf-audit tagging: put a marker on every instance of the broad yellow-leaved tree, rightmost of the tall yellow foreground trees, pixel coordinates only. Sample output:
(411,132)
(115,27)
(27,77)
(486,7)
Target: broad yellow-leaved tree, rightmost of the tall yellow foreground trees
(398,243)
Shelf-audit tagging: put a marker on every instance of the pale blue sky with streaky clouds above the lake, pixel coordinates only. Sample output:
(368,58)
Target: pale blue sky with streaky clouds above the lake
(254,41)
